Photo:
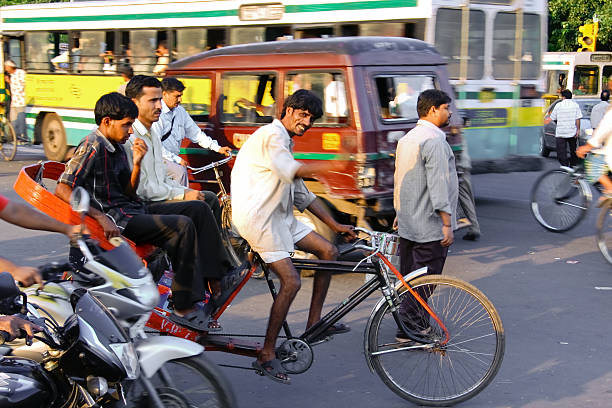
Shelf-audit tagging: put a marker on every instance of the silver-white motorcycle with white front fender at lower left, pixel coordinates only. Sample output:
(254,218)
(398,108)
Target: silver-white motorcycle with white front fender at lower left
(174,371)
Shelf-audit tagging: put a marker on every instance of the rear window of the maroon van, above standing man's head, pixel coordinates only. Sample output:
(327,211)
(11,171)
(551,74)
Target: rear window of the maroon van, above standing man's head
(398,95)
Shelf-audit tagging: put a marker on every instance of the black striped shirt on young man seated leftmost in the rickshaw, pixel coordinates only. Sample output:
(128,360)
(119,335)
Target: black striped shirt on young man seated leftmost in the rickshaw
(102,168)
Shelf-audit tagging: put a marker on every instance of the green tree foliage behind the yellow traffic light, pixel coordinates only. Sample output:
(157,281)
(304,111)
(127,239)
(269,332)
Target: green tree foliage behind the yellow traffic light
(567,15)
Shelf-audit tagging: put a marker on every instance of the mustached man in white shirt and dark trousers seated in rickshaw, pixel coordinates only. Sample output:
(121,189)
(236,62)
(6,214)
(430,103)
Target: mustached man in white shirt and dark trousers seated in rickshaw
(156,186)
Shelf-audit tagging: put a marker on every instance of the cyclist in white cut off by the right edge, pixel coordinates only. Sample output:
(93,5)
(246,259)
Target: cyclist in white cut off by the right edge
(598,165)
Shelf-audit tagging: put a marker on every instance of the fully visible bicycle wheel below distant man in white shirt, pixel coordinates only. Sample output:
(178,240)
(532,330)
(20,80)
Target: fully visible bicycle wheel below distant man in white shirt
(559,200)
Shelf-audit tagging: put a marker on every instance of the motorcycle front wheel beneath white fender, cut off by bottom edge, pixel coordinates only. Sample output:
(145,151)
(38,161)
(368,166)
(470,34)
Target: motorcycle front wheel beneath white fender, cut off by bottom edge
(203,385)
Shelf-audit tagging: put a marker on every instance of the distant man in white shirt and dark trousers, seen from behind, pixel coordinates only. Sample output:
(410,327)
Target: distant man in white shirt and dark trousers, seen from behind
(567,114)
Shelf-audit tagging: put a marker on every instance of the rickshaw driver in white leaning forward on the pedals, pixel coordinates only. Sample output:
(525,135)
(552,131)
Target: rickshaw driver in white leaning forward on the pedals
(266,184)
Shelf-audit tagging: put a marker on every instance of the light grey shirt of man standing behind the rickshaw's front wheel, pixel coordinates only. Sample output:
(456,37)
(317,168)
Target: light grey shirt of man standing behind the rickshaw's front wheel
(425,183)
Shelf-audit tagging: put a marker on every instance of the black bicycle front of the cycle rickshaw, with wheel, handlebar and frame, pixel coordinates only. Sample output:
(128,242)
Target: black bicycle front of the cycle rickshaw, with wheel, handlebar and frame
(447,352)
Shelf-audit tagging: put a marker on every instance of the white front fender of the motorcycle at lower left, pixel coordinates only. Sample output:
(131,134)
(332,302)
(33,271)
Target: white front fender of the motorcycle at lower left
(153,352)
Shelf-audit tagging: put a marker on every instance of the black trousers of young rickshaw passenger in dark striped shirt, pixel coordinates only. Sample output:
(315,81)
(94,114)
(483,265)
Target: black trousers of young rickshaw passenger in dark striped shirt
(188,232)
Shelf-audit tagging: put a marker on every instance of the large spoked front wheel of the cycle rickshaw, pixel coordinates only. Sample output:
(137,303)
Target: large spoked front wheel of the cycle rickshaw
(471,320)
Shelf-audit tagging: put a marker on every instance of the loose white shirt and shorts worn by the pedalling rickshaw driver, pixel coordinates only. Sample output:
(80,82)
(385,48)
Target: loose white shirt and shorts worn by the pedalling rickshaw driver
(264,191)
